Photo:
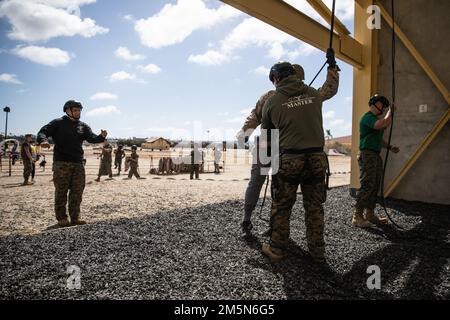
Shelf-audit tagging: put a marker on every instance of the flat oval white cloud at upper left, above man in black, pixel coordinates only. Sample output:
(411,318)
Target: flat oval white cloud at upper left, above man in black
(47,56)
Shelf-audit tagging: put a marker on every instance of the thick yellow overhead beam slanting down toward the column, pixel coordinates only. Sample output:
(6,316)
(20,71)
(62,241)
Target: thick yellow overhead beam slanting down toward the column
(288,19)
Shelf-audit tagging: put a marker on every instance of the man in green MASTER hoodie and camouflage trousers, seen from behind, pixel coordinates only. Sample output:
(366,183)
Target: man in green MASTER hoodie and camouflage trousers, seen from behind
(296,111)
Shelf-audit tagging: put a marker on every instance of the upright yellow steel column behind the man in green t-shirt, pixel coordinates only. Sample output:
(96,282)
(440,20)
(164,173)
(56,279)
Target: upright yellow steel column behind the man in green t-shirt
(364,80)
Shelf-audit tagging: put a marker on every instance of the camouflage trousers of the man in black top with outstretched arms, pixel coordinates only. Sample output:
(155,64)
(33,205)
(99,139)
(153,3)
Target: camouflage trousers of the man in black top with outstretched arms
(68,177)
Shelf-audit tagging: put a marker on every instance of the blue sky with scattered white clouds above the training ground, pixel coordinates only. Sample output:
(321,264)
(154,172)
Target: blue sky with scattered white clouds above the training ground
(150,68)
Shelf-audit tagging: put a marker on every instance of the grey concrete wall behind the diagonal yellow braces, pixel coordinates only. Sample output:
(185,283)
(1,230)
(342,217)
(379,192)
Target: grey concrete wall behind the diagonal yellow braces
(426,24)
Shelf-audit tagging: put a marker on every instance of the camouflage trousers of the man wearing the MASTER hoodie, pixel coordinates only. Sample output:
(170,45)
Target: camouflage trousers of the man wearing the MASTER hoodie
(308,171)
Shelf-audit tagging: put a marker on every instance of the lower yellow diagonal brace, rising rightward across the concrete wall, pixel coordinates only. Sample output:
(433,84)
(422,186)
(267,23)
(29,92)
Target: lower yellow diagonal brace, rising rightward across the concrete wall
(425,143)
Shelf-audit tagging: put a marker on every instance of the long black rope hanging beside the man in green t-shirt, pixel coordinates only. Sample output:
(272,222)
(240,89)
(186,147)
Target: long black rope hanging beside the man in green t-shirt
(383,203)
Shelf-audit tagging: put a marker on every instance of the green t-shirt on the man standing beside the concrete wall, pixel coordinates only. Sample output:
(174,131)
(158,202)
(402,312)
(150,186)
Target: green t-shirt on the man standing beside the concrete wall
(370,138)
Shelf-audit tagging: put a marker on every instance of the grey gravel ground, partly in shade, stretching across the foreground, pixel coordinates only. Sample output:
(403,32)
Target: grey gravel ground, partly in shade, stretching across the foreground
(190,248)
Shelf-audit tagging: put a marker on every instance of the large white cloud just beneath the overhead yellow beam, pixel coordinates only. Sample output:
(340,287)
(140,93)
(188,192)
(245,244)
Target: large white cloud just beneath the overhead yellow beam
(252,32)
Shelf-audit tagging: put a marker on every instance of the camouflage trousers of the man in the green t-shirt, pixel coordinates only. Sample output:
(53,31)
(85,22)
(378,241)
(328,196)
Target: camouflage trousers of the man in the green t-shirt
(371,170)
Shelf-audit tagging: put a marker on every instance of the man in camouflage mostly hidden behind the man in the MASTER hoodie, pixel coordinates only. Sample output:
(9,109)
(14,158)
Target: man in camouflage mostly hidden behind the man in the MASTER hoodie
(256,181)
